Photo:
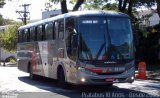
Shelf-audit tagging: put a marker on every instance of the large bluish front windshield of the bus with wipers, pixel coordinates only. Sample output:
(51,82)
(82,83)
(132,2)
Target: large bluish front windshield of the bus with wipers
(105,39)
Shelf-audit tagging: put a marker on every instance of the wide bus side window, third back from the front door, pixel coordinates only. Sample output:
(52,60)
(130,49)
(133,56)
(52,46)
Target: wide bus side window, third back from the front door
(49,31)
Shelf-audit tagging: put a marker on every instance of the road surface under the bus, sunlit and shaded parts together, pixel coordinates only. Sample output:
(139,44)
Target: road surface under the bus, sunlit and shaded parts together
(16,84)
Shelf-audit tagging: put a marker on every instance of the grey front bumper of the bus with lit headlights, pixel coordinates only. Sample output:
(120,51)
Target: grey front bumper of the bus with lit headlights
(89,79)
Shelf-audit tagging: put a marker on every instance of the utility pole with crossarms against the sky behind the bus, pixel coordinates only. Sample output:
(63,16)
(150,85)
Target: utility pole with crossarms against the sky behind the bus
(23,15)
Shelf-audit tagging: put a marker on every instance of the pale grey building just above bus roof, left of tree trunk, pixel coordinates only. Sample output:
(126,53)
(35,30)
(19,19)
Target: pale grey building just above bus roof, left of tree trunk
(52,13)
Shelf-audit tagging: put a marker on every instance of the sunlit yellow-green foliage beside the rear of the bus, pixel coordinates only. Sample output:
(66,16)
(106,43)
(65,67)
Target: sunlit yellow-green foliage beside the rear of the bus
(9,38)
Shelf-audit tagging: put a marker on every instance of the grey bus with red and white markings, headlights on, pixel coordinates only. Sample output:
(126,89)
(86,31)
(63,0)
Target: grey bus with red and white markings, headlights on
(81,48)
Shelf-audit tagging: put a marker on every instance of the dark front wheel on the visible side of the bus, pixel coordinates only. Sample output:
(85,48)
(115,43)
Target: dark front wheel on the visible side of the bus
(61,78)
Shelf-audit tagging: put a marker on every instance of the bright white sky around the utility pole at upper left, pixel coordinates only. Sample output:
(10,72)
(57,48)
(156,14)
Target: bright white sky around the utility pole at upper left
(36,8)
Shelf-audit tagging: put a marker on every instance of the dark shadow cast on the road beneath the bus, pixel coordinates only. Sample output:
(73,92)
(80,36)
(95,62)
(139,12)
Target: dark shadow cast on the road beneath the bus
(83,91)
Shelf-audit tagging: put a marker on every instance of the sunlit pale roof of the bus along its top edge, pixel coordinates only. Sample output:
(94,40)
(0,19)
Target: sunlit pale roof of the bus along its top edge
(77,14)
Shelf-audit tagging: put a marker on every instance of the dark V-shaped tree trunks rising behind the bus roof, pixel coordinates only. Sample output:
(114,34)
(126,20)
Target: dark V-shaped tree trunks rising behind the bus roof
(63,3)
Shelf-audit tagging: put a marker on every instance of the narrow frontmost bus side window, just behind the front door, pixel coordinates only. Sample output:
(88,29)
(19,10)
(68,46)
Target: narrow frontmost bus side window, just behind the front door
(60,29)
